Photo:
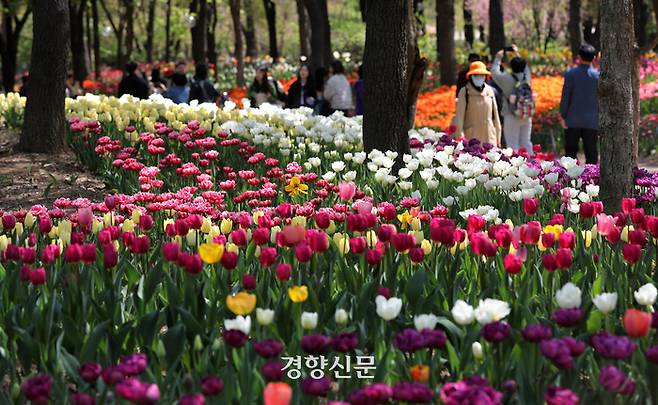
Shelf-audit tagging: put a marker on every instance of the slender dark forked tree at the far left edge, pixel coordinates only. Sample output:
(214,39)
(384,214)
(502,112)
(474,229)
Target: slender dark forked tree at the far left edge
(13,23)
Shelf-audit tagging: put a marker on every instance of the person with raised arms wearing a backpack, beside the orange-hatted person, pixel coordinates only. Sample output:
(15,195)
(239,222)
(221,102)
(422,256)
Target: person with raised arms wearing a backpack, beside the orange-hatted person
(518,100)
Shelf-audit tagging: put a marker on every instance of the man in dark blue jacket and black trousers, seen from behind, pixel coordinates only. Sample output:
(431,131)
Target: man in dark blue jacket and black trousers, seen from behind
(579,107)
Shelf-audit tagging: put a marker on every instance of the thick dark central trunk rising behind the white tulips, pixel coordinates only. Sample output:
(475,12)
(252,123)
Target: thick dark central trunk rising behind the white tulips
(393,72)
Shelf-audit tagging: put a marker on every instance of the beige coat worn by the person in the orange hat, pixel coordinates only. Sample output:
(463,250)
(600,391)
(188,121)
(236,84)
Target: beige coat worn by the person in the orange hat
(480,119)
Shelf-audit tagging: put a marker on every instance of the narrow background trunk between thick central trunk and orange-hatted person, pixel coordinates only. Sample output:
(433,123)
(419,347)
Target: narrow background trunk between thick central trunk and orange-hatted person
(445,21)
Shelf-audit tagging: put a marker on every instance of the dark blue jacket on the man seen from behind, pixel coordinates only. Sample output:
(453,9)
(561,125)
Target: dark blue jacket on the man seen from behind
(580,104)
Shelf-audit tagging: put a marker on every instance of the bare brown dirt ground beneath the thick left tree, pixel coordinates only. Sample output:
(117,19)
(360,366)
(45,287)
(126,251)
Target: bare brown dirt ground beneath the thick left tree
(28,179)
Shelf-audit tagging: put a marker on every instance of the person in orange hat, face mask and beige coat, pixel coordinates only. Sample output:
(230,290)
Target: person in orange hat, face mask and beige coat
(477,110)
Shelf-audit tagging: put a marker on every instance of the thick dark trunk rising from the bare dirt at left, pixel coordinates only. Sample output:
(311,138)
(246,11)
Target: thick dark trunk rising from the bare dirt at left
(44,128)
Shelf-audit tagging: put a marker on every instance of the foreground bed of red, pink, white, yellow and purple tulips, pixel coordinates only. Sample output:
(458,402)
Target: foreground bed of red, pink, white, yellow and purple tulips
(252,256)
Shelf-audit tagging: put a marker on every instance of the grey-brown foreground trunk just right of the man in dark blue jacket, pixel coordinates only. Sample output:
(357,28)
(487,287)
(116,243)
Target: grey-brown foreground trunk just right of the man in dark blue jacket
(616,102)
